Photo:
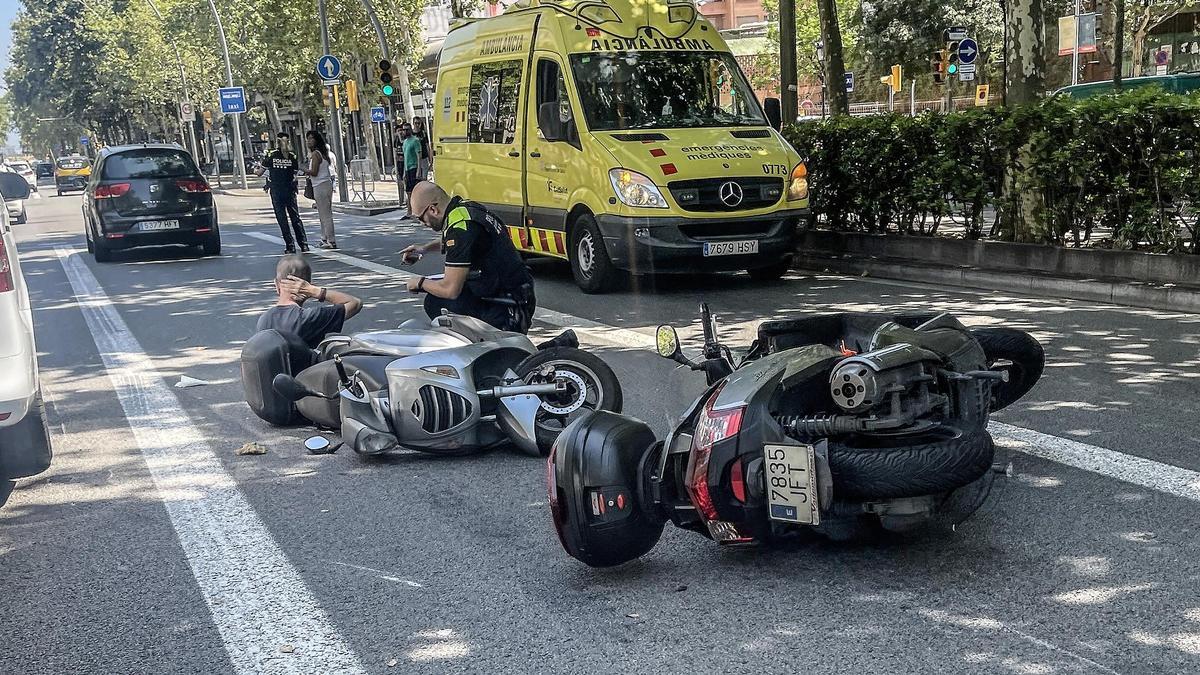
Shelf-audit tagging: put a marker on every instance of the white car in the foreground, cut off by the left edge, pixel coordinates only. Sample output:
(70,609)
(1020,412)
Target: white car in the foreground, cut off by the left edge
(25,439)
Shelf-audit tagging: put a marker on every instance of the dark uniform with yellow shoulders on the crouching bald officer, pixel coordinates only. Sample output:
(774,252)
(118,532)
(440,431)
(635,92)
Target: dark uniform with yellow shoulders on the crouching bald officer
(502,291)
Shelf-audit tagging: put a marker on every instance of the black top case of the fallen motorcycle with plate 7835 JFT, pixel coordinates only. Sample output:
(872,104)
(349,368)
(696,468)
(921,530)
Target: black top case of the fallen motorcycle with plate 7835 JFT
(595,479)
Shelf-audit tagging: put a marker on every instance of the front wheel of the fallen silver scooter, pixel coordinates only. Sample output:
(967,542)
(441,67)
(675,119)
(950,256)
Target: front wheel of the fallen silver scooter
(591,386)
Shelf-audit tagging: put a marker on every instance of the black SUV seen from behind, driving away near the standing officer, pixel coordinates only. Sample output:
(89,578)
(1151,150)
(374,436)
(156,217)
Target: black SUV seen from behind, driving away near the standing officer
(148,196)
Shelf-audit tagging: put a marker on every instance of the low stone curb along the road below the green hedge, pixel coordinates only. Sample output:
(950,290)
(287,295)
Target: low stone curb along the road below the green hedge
(1136,295)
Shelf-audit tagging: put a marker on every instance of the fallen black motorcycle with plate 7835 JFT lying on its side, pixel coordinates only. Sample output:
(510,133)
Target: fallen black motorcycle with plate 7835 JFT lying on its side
(841,423)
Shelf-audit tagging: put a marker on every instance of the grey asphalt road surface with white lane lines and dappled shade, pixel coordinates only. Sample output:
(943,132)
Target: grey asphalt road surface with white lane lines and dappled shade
(133,553)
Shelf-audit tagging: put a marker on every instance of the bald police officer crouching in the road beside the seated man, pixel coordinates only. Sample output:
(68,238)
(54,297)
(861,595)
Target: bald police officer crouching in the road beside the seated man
(473,241)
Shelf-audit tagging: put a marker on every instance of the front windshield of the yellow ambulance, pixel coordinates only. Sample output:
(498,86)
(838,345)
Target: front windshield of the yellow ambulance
(664,91)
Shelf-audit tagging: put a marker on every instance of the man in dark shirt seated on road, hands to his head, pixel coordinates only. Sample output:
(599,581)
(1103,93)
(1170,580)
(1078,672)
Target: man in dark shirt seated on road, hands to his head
(311,322)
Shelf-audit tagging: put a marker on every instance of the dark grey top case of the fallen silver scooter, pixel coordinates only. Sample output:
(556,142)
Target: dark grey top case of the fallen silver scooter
(265,356)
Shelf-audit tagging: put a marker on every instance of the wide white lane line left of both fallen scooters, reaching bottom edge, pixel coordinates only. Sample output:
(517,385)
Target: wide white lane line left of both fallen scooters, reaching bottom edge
(257,599)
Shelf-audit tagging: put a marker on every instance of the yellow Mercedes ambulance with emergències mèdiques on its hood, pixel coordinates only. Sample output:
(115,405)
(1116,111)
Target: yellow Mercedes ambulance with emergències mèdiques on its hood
(619,135)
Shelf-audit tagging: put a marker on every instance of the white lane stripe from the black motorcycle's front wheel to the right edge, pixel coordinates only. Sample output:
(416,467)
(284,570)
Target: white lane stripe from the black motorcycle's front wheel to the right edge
(1130,469)
